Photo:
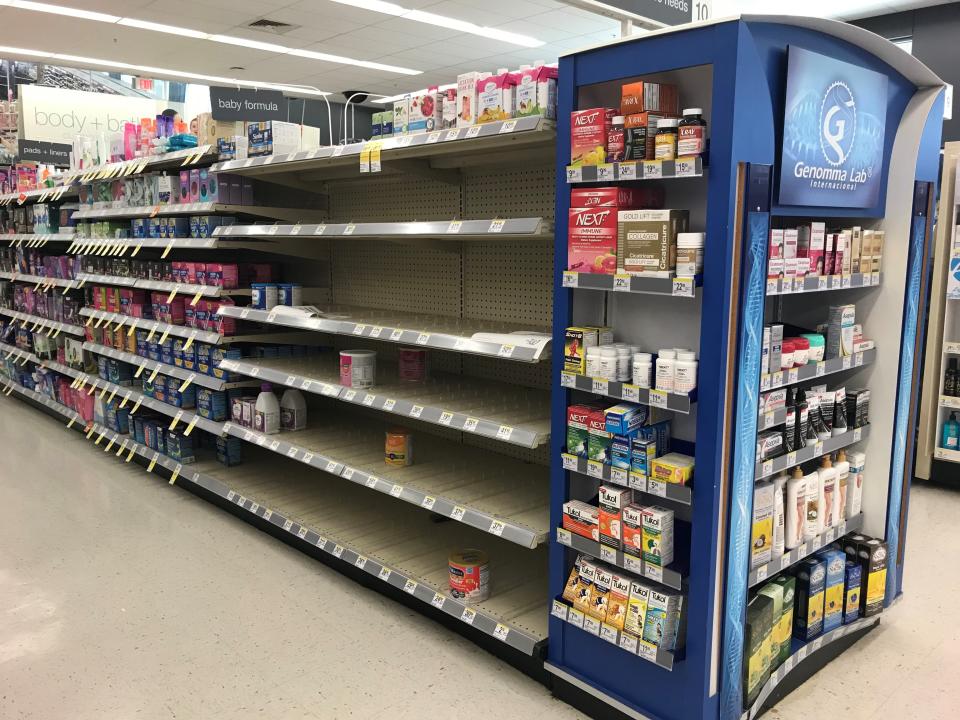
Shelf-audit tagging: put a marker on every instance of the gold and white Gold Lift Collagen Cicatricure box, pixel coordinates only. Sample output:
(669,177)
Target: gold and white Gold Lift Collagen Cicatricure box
(647,241)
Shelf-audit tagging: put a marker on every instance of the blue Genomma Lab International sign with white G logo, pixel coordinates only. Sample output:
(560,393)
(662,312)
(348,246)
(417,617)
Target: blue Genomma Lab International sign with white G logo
(833,132)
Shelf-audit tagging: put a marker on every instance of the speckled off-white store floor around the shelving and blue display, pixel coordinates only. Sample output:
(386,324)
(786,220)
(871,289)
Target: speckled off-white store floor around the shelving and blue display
(121,597)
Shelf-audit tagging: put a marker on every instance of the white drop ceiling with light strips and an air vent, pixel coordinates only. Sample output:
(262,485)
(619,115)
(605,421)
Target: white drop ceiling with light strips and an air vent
(336,28)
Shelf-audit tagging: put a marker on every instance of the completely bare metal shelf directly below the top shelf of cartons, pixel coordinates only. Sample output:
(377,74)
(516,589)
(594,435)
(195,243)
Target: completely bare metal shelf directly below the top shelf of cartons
(490,229)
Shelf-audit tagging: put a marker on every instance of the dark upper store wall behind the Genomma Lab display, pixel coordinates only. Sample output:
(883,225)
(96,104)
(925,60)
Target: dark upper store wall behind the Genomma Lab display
(935,31)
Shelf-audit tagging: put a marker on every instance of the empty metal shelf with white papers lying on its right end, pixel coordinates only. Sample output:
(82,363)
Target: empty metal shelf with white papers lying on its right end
(438,332)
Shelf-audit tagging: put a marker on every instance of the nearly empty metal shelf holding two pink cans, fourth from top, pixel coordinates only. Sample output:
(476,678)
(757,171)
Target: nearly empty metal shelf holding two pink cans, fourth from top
(485,408)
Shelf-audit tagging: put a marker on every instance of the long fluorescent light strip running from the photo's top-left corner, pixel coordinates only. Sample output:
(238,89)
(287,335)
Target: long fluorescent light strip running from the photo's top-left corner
(197,34)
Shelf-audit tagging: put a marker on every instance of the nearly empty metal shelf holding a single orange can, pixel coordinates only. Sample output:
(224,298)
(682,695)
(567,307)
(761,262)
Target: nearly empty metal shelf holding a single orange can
(495,495)
